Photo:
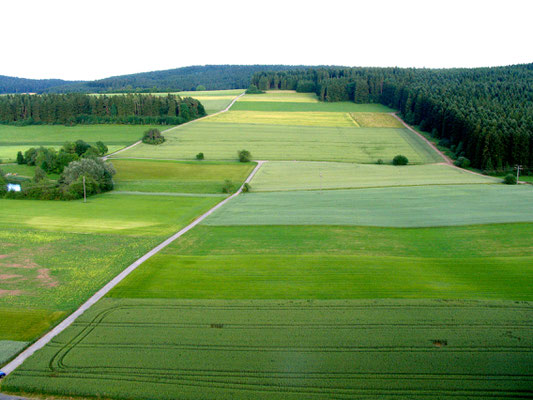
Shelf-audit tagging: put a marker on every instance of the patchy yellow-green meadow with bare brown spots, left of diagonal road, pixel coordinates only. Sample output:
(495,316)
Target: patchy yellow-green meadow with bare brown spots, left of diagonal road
(54,255)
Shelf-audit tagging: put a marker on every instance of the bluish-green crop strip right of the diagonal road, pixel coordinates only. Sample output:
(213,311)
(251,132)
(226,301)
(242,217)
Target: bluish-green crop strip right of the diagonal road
(412,206)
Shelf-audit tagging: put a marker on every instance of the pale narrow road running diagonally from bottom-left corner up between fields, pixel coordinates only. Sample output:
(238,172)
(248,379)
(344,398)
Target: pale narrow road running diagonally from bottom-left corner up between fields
(43,341)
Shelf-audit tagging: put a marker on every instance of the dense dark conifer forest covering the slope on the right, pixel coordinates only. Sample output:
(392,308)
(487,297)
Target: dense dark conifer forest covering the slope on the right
(484,114)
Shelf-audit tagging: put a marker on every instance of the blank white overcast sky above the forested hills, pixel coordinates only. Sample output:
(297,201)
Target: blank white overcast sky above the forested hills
(95,39)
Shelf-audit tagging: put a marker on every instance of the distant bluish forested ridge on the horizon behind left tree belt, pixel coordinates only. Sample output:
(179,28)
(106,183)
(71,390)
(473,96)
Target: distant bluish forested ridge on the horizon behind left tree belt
(211,77)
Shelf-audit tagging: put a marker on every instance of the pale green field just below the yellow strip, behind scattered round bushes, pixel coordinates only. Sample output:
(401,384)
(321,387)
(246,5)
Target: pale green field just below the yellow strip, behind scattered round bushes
(221,141)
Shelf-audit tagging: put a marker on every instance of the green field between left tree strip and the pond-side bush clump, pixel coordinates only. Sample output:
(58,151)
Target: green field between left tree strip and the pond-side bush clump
(20,138)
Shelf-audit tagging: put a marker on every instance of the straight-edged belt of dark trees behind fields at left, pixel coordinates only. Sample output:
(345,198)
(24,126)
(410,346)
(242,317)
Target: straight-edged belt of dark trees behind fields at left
(75,108)
